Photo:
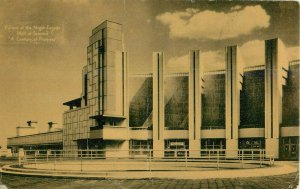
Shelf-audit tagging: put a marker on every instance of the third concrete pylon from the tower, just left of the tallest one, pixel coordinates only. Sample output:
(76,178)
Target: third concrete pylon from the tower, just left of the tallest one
(234,78)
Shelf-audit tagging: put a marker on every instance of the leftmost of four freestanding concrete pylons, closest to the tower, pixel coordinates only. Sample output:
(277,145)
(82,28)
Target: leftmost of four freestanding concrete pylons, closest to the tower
(158,104)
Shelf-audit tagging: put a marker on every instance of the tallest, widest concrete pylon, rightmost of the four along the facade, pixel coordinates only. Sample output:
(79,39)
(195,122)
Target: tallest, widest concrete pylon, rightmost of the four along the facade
(276,67)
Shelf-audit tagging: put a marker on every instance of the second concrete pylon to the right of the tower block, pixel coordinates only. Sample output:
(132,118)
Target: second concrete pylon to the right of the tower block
(195,82)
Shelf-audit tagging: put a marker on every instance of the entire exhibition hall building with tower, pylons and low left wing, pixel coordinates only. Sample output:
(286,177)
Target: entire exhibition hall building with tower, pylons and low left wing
(236,108)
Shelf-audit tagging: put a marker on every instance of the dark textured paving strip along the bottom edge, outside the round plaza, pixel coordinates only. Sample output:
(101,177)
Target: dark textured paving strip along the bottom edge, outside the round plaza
(271,182)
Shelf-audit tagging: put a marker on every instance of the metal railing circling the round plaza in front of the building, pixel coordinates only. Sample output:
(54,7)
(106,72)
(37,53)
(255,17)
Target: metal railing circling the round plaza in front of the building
(143,159)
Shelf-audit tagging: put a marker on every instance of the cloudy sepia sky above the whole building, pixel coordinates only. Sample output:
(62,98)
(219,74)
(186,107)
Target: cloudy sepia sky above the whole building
(37,77)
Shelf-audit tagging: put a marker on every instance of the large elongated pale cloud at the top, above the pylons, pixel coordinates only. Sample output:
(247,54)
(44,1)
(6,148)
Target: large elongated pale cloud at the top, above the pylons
(193,24)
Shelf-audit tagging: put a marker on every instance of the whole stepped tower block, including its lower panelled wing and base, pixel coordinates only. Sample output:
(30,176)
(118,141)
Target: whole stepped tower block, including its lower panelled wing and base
(92,118)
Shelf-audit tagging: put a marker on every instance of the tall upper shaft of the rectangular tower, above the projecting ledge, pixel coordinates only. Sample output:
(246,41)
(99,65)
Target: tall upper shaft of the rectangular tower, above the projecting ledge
(105,71)
